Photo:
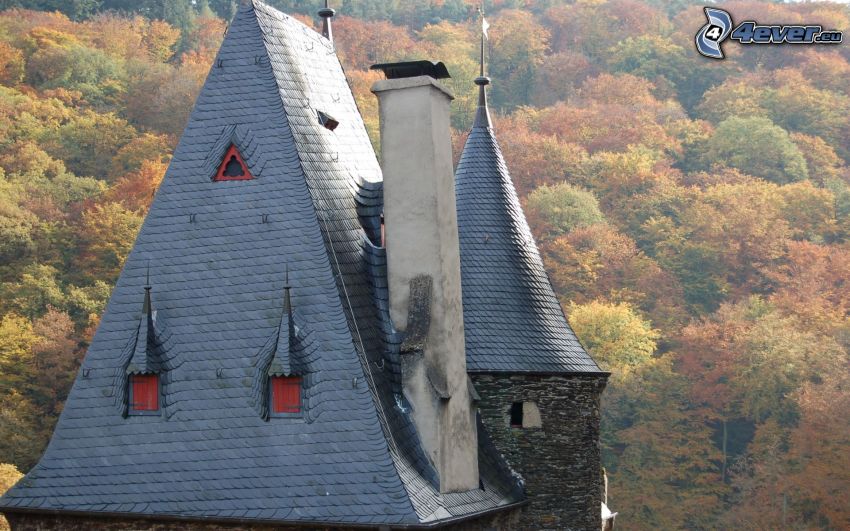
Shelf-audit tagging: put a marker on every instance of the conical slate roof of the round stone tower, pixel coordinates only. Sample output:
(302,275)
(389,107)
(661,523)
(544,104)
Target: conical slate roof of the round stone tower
(513,322)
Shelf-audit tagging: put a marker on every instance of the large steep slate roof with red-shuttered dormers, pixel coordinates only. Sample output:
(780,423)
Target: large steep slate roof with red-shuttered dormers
(218,255)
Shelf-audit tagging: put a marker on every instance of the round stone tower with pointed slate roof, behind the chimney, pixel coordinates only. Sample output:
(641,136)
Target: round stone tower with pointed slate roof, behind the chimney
(539,390)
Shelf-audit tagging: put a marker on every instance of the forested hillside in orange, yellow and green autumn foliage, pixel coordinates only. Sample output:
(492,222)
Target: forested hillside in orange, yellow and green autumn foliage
(694,216)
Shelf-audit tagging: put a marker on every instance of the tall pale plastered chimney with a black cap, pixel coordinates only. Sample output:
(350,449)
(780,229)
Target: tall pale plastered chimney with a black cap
(423,262)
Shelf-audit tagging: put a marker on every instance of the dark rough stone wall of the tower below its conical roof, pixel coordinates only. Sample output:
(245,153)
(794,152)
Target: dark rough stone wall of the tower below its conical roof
(560,461)
